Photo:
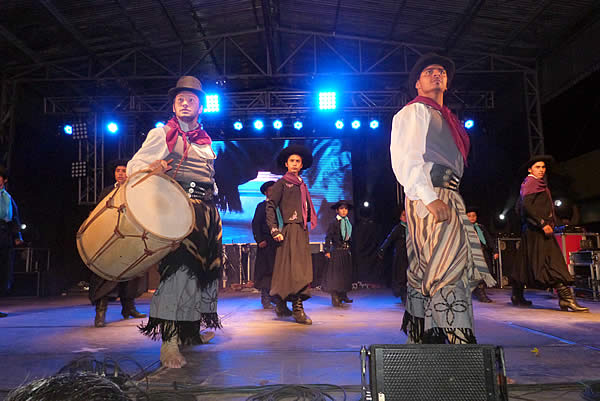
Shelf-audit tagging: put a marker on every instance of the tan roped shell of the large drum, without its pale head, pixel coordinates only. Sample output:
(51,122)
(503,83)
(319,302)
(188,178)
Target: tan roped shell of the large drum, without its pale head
(115,246)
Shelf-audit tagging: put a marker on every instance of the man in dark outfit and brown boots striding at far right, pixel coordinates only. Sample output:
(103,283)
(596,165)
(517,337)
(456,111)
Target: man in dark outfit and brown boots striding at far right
(542,263)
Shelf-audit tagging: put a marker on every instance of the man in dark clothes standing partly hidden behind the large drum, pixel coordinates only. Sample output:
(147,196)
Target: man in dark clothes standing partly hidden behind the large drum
(102,290)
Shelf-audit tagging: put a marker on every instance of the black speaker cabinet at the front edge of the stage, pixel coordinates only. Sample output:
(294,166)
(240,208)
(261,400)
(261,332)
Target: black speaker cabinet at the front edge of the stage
(437,373)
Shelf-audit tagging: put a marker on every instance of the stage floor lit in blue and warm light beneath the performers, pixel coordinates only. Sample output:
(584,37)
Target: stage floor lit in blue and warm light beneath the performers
(542,344)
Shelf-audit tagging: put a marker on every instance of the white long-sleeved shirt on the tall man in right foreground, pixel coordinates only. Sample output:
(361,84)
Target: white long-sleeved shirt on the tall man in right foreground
(420,138)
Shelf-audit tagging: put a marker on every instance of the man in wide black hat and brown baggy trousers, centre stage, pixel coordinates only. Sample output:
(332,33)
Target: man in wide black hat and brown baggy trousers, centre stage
(292,273)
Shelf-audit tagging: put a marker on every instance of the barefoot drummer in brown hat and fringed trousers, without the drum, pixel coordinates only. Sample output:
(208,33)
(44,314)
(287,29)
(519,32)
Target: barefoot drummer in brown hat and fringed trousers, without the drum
(186,298)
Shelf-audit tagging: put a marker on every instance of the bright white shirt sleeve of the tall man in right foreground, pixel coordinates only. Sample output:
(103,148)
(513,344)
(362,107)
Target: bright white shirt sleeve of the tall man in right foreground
(407,147)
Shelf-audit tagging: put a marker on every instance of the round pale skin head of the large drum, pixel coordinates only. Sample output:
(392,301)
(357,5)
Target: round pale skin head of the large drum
(160,206)
